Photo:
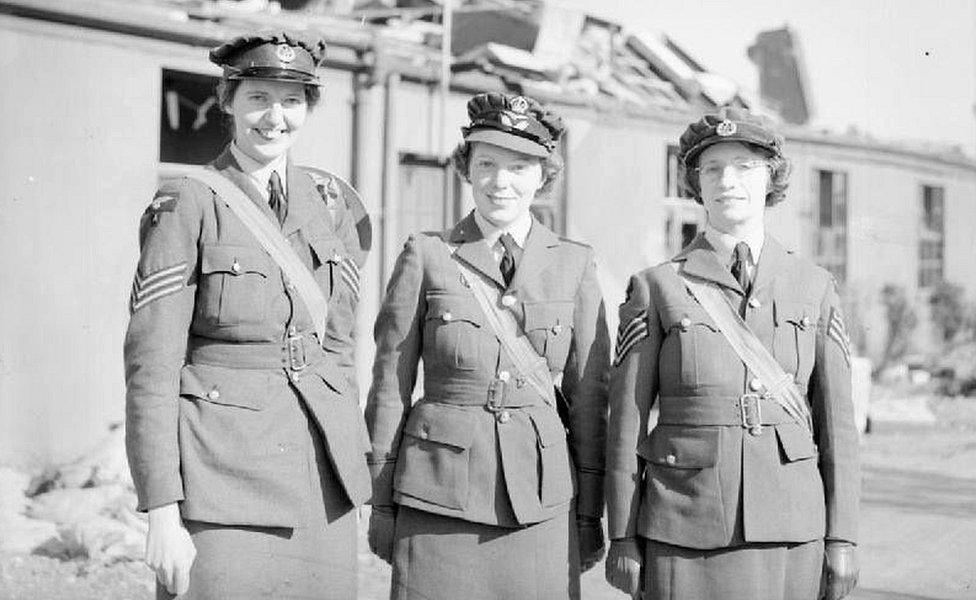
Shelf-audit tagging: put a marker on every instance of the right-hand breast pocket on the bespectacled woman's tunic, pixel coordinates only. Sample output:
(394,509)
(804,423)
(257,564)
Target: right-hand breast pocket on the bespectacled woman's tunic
(796,337)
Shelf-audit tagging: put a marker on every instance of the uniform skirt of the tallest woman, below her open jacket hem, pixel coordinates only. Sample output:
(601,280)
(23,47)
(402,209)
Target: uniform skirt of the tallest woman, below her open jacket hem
(314,562)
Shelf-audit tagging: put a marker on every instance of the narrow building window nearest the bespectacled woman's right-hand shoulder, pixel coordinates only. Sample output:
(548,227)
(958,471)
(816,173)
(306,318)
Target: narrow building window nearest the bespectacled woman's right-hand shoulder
(831,242)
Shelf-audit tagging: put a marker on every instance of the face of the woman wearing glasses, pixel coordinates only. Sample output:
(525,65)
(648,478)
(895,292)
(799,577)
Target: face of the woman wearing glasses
(733,179)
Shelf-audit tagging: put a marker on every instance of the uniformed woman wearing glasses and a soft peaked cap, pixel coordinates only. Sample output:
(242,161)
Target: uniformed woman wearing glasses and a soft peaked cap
(747,487)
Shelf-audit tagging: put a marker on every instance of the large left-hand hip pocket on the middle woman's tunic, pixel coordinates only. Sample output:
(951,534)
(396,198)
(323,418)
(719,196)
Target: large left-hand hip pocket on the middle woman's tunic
(433,459)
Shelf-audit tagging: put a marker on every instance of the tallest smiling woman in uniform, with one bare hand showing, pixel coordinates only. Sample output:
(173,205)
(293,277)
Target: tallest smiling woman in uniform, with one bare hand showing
(243,429)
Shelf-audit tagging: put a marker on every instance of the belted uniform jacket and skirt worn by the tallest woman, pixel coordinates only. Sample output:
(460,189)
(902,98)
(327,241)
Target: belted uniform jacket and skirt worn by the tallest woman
(233,408)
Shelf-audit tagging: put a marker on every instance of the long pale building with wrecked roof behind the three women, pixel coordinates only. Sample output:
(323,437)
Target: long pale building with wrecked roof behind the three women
(109,97)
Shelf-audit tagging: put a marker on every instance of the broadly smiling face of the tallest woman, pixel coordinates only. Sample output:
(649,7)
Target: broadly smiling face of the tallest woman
(267,117)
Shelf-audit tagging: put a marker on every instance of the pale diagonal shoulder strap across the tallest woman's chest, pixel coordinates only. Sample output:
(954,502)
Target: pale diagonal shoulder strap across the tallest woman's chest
(274,243)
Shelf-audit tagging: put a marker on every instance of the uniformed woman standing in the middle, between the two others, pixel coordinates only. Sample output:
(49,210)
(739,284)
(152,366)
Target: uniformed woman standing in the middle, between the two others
(480,489)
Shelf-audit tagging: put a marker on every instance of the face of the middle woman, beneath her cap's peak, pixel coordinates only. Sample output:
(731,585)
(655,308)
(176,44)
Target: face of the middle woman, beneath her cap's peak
(504,182)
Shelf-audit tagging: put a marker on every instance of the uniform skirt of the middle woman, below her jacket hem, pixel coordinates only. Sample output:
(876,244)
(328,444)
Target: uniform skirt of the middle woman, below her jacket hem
(443,558)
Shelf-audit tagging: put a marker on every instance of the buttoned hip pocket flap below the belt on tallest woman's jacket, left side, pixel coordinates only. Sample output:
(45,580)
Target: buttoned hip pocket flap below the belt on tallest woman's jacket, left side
(220,385)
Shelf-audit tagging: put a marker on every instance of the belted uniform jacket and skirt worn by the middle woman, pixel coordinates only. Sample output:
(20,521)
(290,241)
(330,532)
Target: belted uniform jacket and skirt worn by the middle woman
(463,473)
